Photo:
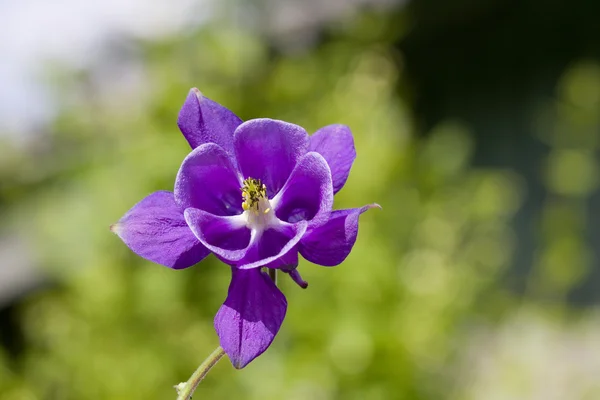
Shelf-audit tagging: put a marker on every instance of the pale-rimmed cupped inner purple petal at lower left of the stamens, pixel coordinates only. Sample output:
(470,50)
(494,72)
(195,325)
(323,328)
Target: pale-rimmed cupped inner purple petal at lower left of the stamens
(227,237)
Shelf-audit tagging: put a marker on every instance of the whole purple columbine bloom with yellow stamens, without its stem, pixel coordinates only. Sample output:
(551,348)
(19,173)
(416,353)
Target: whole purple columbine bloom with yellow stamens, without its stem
(255,194)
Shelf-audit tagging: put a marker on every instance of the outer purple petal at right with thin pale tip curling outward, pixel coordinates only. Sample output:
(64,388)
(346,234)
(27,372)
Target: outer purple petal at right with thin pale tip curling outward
(330,244)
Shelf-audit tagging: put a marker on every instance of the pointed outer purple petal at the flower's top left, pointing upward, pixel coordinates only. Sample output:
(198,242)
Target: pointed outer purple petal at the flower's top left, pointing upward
(202,120)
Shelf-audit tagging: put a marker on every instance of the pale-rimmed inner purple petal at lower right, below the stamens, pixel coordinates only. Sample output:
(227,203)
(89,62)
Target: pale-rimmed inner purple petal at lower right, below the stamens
(275,248)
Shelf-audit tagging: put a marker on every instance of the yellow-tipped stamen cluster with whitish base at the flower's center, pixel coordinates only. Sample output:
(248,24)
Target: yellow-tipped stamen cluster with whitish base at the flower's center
(256,205)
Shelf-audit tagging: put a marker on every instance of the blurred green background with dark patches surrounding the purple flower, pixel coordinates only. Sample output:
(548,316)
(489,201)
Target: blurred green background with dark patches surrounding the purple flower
(477,127)
